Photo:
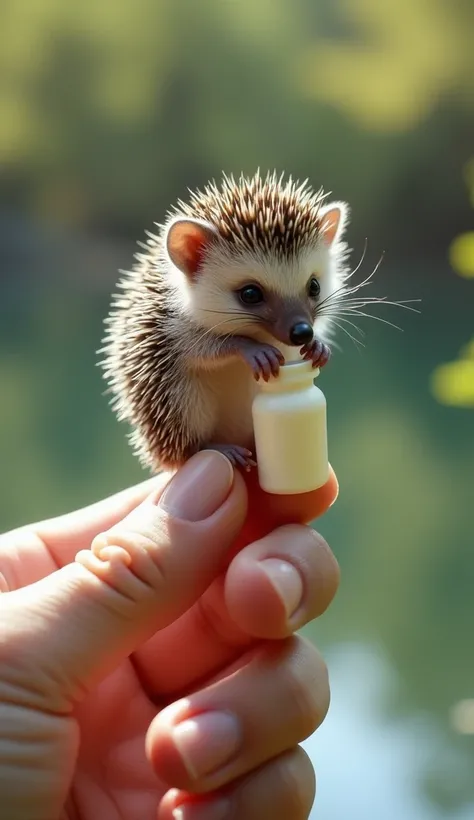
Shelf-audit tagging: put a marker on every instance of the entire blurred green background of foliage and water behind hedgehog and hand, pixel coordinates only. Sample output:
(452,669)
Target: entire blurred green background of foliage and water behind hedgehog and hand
(108,112)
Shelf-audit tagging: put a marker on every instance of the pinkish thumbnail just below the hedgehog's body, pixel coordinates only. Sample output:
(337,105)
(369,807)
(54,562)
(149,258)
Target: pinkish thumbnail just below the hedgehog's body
(199,488)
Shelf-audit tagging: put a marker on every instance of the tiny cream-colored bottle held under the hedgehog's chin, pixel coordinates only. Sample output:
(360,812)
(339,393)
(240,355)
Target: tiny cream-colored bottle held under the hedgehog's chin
(289,419)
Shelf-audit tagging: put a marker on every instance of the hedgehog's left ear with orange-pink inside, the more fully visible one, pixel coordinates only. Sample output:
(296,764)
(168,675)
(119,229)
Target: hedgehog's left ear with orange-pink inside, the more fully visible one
(186,243)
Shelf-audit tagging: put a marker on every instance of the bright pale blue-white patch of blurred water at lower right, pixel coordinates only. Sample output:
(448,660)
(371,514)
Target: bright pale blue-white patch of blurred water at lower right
(367,767)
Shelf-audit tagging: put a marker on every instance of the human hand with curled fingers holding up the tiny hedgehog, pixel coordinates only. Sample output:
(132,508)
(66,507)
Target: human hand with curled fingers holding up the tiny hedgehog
(121,621)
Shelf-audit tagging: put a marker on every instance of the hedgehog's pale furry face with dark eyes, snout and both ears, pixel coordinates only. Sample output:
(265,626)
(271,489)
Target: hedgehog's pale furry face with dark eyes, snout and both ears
(260,280)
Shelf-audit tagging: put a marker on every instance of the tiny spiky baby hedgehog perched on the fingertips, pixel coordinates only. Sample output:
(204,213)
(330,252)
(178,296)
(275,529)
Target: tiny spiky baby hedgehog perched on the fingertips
(234,284)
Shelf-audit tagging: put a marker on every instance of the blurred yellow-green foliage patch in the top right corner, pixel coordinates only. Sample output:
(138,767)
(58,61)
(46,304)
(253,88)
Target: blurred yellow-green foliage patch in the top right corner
(404,55)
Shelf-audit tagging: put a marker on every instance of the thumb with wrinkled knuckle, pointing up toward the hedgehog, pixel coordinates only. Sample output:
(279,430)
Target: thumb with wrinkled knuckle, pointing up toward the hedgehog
(76,625)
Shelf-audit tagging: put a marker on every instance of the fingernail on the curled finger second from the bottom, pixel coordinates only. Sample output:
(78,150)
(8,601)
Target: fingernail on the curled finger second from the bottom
(206,742)
